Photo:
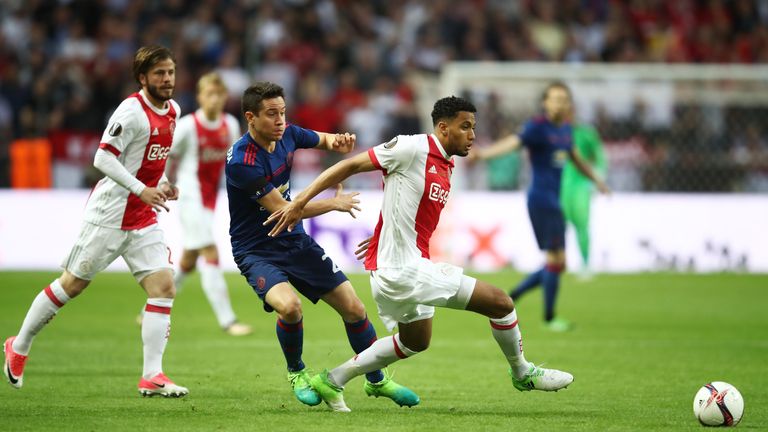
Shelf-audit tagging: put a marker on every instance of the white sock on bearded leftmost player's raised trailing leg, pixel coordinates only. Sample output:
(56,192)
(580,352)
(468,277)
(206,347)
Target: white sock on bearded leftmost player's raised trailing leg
(42,310)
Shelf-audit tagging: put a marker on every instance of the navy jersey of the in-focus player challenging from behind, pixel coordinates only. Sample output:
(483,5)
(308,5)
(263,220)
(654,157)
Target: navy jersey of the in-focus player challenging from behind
(252,173)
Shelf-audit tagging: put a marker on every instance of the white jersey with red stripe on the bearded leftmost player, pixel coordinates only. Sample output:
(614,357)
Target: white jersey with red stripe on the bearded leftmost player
(140,135)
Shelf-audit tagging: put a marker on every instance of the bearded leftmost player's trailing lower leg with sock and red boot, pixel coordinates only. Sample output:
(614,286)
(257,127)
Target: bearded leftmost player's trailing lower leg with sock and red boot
(44,307)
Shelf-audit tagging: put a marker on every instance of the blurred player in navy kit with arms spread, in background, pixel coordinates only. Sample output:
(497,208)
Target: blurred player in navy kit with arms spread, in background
(549,140)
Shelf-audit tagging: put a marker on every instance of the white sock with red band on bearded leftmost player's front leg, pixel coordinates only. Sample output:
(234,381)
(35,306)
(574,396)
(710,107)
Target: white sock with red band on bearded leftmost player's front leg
(155,329)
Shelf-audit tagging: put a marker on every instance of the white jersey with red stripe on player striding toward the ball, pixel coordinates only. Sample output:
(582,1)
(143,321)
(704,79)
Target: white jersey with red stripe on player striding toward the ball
(417,181)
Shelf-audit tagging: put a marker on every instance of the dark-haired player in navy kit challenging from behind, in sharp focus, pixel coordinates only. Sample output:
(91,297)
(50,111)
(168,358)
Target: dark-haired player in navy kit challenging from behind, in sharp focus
(258,183)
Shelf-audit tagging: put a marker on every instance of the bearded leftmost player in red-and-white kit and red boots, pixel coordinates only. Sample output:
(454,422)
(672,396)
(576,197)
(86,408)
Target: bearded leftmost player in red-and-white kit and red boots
(121,220)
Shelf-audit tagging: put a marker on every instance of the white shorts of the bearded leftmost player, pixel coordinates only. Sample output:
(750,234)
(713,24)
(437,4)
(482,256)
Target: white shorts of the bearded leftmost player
(144,250)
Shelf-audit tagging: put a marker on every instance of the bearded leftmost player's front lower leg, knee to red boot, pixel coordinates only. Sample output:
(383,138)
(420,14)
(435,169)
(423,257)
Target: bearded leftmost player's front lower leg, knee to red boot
(155,330)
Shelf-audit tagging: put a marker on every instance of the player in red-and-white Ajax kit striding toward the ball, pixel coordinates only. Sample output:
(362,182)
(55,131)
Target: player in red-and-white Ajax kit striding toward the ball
(406,285)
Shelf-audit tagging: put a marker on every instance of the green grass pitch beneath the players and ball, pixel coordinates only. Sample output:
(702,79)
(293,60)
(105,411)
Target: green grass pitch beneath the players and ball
(643,346)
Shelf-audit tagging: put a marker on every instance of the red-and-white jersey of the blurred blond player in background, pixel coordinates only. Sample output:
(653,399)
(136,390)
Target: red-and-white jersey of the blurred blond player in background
(201,146)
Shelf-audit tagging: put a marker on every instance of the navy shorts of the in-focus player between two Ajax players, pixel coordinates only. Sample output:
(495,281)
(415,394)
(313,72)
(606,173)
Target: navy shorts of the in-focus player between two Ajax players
(298,260)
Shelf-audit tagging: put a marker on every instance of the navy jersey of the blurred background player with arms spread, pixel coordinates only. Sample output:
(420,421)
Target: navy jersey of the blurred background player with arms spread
(548,146)
